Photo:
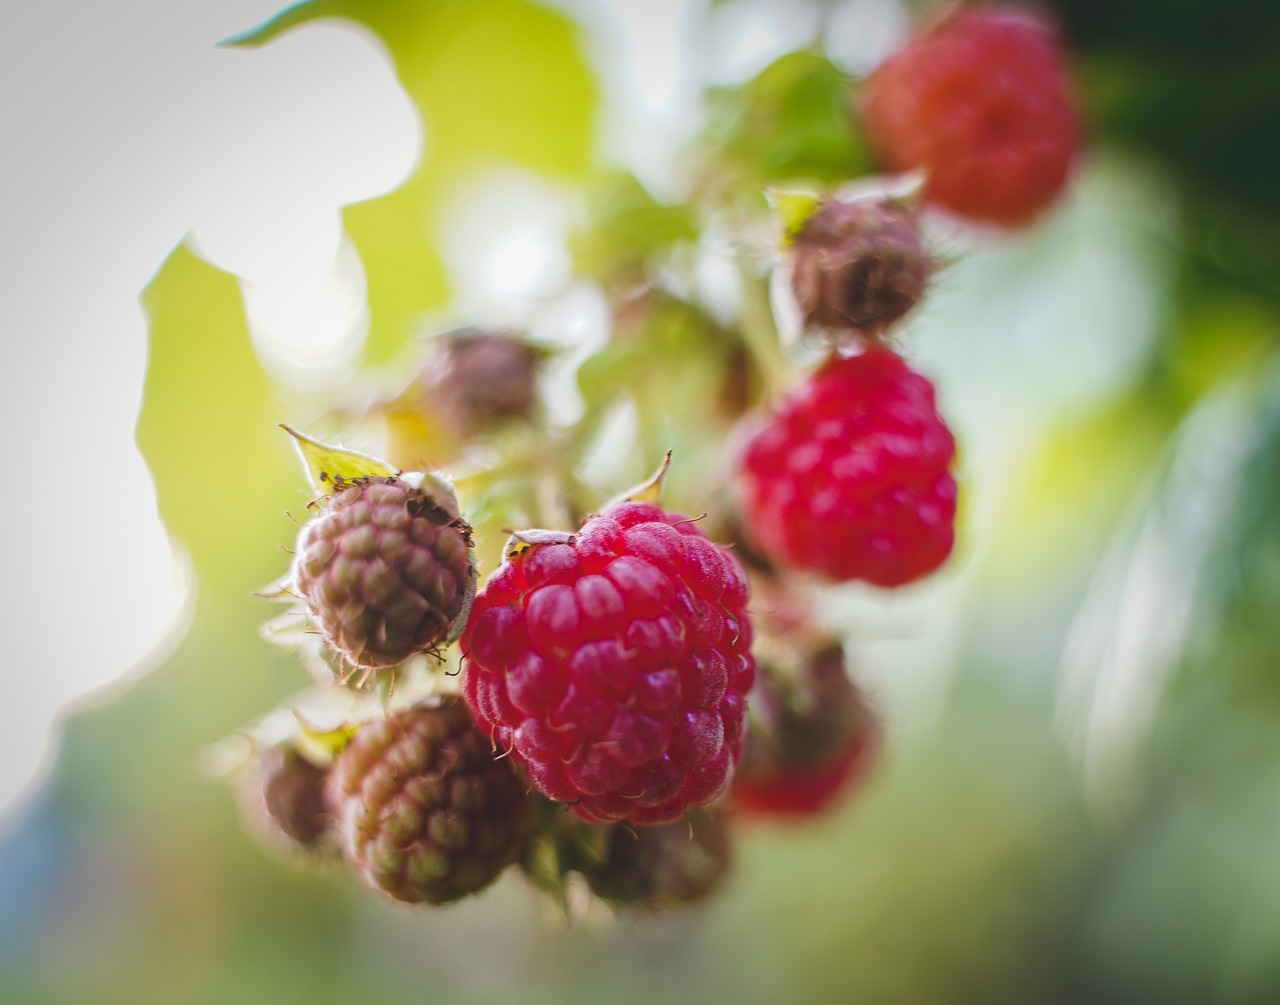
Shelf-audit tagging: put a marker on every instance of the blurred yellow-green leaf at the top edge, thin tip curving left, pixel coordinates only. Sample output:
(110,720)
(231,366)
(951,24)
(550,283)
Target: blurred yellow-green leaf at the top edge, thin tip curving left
(495,83)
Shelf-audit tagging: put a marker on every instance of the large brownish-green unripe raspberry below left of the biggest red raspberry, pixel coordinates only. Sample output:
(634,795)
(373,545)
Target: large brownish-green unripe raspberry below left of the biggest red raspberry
(424,811)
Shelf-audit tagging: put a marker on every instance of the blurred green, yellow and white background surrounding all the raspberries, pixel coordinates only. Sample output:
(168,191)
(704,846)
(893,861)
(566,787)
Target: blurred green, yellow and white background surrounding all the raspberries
(1080,796)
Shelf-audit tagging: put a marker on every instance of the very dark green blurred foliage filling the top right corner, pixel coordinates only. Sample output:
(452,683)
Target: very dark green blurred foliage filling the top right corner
(1190,84)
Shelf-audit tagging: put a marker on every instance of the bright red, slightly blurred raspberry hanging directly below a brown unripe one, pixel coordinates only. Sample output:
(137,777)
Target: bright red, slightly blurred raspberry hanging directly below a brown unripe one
(852,478)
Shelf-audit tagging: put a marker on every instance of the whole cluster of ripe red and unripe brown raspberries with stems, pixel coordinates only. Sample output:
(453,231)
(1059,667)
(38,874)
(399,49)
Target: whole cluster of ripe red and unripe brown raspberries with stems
(605,703)
